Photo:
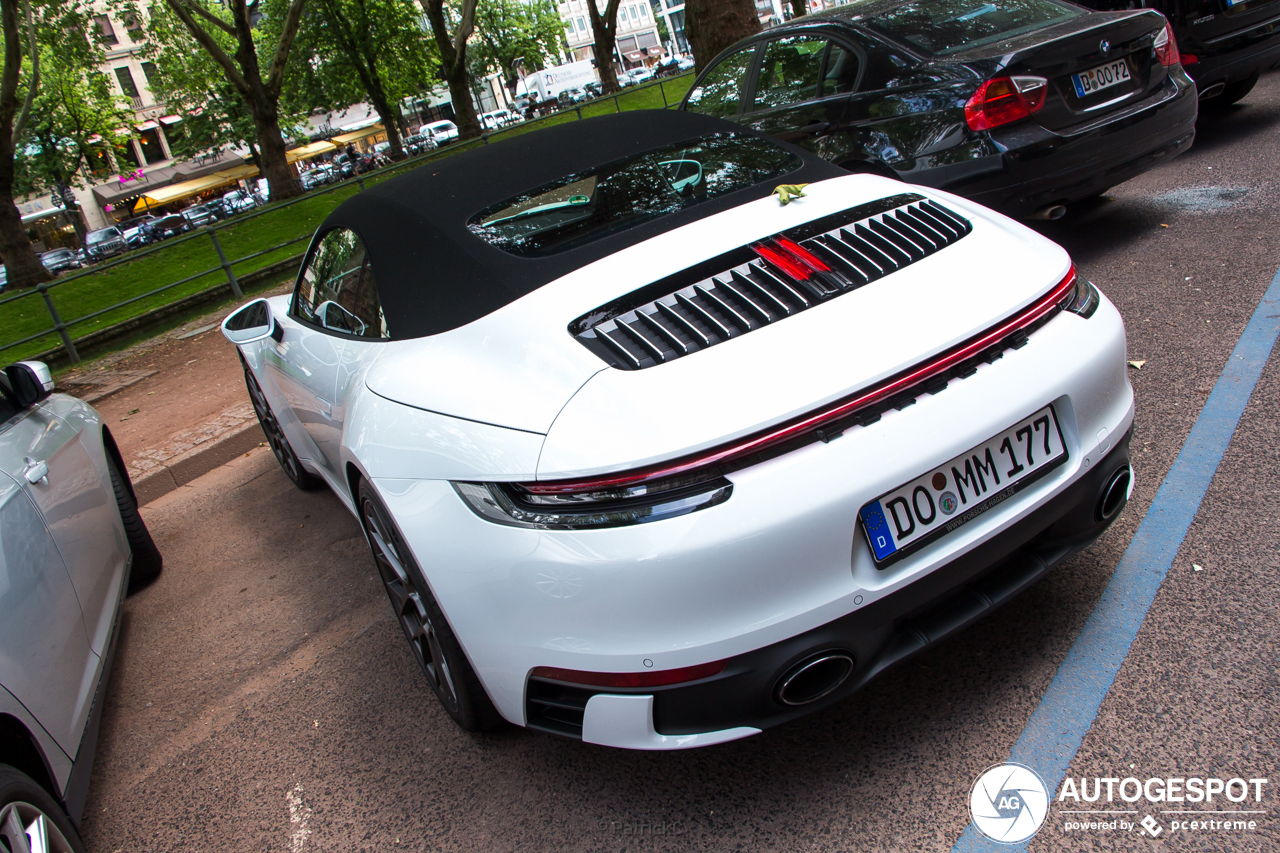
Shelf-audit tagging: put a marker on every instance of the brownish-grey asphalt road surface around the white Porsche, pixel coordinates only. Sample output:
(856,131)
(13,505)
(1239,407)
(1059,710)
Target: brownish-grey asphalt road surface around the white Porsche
(266,700)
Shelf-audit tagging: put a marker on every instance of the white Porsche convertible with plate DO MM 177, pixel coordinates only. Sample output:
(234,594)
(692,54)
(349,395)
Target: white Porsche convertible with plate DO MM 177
(650,458)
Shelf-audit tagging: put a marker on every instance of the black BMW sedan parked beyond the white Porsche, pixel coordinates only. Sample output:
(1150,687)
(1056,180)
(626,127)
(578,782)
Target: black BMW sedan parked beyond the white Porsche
(1023,106)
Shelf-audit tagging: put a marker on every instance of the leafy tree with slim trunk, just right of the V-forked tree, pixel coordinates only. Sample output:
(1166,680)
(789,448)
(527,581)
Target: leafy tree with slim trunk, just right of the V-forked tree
(359,49)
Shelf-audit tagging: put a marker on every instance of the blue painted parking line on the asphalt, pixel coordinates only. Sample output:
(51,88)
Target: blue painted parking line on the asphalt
(1068,709)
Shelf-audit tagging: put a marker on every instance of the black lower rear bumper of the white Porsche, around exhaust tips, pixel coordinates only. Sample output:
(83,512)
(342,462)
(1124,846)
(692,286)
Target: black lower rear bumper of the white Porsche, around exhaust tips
(877,637)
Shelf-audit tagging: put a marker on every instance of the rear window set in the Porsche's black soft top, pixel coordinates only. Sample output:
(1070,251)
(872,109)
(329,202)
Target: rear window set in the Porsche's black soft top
(586,207)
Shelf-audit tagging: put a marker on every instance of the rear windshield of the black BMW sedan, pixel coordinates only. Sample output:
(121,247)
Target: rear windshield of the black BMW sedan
(944,28)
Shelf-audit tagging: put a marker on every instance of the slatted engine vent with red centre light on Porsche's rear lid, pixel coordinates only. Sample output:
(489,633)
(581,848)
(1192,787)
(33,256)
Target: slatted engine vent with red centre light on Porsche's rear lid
(769,281)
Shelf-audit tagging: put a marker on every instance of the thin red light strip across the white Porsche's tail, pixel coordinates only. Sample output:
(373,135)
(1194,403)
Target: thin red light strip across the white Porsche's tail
(943,363)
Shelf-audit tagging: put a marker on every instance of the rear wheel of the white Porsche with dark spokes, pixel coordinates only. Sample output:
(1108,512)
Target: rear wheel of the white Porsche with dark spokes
(435,646)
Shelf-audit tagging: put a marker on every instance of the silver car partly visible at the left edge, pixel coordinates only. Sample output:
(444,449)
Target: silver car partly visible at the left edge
(74,546)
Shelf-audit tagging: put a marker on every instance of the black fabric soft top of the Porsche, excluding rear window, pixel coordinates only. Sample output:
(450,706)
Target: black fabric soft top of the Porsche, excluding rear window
(435,275)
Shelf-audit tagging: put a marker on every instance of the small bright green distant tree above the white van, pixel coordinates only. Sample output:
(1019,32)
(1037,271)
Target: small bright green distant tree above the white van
(514,30)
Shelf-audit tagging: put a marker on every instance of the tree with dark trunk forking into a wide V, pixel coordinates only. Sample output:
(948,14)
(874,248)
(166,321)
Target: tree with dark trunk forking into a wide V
(234,34)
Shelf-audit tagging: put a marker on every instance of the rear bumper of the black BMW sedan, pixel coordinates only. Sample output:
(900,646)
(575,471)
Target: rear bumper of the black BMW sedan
(1044,168)
